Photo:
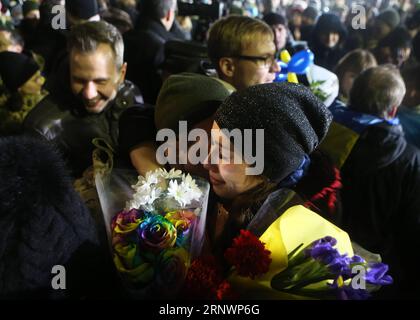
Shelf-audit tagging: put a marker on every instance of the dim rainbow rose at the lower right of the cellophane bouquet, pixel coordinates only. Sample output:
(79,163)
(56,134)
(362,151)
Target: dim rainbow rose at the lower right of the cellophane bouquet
(171,270)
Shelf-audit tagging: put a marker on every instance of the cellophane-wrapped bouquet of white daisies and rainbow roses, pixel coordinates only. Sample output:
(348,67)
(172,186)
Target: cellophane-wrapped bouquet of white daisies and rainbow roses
(155,227)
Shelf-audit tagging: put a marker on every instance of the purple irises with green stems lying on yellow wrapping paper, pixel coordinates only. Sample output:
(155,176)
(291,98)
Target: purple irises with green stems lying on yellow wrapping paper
(320,271)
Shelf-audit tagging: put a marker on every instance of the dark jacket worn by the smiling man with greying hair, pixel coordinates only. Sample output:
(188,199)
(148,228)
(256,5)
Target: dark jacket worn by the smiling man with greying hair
(69,125)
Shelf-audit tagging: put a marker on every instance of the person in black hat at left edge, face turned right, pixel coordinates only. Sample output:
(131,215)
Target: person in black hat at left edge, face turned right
(22,81)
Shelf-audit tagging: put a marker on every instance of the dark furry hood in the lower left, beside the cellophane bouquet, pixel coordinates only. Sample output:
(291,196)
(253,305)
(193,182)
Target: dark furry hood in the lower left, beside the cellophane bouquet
(43,221)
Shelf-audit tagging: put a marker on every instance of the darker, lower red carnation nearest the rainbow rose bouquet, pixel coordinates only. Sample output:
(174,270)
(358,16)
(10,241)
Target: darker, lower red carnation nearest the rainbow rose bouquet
(203,279)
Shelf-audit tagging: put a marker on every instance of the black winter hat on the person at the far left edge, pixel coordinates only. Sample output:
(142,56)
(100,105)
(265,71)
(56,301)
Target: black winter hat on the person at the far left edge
(16,69)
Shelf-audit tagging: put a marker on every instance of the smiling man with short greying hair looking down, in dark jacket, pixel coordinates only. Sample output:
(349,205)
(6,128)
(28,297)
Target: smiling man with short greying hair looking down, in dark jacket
(99,95)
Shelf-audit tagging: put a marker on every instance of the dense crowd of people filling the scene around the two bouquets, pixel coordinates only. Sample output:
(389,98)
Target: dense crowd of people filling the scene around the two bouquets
(122,70)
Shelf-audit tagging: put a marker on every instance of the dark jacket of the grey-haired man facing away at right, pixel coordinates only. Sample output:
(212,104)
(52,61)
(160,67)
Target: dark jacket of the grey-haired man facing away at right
(381,202)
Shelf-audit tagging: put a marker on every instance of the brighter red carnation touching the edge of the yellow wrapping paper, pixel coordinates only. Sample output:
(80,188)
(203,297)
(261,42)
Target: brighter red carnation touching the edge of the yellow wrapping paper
(248,255)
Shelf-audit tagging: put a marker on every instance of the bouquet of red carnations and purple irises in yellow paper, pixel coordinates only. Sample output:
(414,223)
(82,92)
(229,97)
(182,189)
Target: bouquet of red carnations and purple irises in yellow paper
(266,269)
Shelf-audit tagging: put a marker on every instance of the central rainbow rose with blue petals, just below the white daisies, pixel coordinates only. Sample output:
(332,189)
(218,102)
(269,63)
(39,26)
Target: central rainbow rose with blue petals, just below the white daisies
(156,233)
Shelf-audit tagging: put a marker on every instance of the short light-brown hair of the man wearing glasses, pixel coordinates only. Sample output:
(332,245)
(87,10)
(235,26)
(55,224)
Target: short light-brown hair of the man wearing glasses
(230,35)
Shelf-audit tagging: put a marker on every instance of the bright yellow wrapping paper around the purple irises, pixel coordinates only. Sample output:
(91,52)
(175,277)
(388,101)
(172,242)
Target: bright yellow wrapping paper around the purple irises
(297,225)
